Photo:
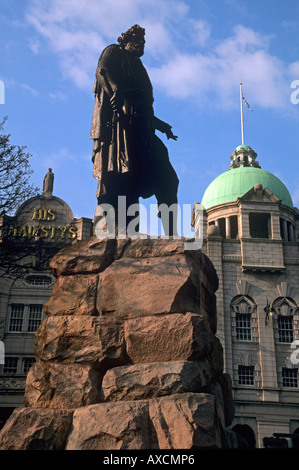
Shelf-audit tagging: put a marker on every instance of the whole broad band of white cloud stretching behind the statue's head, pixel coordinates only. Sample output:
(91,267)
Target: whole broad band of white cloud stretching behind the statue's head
(78,34)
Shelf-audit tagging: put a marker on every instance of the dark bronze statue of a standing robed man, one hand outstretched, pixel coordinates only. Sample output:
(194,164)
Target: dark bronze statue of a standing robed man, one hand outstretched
(129,159)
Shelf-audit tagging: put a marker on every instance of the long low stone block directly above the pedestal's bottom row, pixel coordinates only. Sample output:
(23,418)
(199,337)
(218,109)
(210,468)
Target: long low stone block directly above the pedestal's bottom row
(141,381)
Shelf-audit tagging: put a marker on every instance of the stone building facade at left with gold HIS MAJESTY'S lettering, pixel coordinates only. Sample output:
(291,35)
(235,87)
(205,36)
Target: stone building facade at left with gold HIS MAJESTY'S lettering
(45,223)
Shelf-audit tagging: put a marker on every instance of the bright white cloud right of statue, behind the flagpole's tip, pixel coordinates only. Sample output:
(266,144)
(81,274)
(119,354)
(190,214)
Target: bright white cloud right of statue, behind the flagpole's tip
(214,77)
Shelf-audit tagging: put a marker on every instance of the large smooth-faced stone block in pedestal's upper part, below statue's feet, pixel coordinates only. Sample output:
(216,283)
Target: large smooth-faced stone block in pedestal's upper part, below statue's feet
(147,286)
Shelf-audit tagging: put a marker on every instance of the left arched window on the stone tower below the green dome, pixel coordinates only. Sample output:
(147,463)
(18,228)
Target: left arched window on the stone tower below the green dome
(243,313)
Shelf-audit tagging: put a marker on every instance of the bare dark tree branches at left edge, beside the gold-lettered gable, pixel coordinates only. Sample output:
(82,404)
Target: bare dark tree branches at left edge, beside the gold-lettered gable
(18,255)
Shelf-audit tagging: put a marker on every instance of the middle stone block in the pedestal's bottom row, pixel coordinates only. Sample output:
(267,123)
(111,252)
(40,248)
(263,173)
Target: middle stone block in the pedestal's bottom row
(110,426)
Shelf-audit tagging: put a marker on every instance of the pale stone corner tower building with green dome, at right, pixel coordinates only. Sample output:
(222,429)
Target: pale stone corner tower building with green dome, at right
(251,233)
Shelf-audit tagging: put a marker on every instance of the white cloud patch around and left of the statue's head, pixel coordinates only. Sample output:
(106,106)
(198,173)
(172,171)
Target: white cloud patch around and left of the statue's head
(78,34)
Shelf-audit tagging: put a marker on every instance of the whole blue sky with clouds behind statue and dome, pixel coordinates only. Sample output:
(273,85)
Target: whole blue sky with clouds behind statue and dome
(197,53)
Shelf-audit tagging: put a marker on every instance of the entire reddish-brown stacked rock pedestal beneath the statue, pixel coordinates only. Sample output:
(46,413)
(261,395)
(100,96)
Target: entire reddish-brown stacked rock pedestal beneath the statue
(127,356)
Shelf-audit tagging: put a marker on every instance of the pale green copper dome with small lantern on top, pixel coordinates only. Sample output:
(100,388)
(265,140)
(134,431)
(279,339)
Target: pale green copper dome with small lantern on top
(237,181)
